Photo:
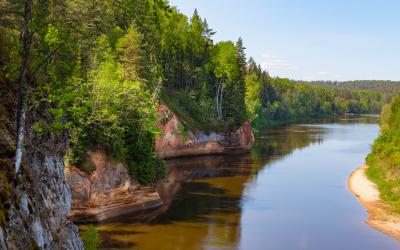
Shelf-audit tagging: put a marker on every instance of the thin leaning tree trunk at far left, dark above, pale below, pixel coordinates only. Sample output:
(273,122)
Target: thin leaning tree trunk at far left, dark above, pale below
(26,39)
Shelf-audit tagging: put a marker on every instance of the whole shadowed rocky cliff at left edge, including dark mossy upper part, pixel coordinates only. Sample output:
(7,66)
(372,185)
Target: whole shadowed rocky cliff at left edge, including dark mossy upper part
(34,204)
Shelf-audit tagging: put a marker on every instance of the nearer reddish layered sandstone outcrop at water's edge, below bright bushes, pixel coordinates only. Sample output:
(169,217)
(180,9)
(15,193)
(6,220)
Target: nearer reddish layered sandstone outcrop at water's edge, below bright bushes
(108,192)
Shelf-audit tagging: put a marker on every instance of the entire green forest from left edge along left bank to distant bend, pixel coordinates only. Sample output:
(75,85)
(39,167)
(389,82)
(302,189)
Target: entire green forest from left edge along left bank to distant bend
(96,71)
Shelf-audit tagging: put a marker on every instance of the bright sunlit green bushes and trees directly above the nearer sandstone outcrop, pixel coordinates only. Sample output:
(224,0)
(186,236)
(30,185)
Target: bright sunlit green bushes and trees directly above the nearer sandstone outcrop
(120,114)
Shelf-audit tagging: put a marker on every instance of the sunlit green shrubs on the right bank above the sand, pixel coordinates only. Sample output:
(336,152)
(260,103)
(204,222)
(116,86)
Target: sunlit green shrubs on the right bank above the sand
(384,160)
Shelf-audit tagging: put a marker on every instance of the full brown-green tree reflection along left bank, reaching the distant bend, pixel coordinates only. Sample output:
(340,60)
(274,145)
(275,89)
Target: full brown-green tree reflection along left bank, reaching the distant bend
(203,195)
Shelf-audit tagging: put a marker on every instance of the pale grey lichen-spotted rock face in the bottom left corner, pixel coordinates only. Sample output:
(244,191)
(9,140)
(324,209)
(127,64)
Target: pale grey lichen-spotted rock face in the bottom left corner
(38,210)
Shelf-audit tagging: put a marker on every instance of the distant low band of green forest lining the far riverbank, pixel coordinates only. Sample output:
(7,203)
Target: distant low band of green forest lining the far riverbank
(277,100)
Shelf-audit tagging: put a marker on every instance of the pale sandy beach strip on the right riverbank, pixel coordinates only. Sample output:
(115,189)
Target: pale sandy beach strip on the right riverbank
(380,215)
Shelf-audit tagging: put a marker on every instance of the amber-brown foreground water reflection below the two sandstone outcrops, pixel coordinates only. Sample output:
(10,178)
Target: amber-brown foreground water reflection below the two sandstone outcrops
(202,198)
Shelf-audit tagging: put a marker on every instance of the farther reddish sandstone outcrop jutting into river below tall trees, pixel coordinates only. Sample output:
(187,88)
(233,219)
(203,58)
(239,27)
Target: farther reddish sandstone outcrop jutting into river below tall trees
(176,141)
